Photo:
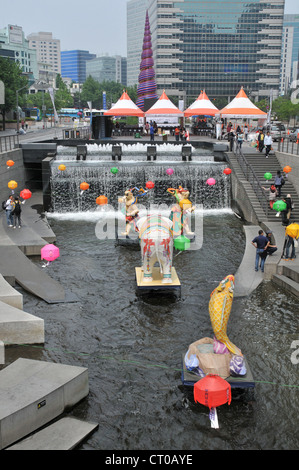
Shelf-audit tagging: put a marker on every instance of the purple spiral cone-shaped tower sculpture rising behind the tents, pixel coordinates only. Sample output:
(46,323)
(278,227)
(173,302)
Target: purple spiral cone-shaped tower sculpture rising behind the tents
(147,86)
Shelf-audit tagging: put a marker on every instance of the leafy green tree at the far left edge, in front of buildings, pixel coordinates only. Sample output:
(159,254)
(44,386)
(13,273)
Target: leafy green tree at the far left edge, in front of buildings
(11,75)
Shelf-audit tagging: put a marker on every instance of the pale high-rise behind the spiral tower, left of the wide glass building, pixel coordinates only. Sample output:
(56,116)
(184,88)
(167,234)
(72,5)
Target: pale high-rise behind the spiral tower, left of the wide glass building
(136,11)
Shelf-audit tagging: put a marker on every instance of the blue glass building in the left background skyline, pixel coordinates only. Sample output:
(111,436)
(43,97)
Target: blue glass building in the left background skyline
(73,64)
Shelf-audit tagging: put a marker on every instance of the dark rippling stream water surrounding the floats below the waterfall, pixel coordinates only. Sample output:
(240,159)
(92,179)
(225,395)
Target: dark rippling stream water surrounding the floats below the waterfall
(132,346)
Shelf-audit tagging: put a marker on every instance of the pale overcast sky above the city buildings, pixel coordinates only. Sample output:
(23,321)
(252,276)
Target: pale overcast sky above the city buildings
(98,26)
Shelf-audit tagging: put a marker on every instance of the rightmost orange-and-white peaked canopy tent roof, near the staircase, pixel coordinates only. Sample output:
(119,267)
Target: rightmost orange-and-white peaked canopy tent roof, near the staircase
(242,107)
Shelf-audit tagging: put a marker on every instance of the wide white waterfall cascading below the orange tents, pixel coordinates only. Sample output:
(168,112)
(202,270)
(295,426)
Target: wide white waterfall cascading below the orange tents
(66,195)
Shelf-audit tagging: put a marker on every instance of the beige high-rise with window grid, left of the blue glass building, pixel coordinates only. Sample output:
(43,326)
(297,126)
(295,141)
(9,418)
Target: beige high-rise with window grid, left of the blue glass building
(47,49)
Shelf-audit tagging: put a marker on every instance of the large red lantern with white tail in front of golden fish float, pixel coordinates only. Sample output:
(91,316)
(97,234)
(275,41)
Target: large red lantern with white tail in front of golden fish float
(212,391)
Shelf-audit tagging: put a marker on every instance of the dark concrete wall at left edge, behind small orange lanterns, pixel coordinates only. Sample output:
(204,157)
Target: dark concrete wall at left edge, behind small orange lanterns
(16,173)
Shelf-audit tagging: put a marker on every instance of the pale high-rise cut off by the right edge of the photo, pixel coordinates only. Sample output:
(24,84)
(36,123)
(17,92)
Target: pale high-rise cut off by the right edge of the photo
(289,53)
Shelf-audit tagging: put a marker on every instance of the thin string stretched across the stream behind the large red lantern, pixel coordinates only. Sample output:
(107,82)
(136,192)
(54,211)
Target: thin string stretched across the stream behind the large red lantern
(142,364)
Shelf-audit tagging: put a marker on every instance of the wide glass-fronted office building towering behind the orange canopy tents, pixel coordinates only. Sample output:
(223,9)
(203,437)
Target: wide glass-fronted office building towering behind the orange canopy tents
(217,46)
